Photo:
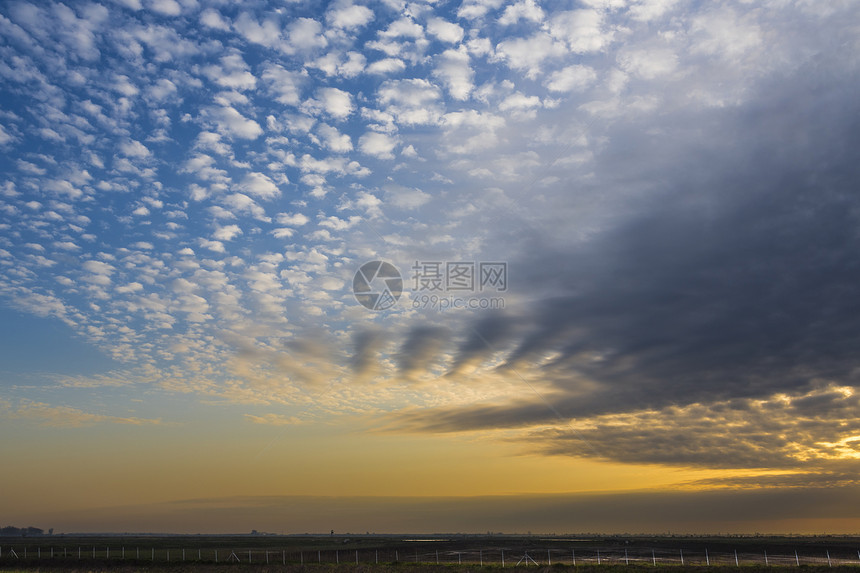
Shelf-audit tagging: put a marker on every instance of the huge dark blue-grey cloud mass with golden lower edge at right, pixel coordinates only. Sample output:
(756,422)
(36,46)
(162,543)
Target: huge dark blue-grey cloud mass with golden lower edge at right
(732,276)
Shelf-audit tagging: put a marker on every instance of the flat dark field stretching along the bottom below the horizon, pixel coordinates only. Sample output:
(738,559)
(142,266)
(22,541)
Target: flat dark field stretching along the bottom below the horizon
(418,554)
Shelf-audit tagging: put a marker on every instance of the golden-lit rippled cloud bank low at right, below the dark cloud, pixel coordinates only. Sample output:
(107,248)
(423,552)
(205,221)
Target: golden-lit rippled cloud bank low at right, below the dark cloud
(761,435)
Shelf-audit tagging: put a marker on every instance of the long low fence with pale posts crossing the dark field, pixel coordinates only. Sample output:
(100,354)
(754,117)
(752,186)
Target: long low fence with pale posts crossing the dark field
(491,556)
